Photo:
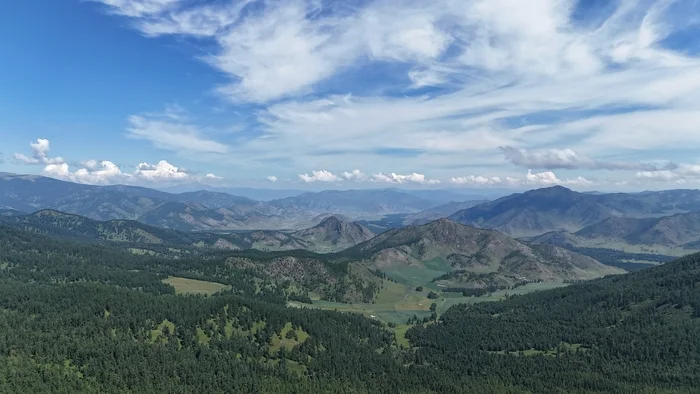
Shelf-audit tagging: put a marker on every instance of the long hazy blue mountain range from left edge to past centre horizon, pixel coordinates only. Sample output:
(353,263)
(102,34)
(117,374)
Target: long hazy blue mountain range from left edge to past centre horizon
(199,210)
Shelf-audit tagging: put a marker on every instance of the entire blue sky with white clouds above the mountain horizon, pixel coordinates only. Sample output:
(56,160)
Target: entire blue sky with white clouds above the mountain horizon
(589,94)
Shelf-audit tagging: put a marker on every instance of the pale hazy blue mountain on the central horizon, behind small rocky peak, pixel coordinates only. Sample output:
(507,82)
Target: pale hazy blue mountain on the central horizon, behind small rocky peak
(355,203)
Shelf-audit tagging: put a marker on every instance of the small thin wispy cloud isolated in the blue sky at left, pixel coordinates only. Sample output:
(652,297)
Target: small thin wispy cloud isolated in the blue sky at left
(170,134)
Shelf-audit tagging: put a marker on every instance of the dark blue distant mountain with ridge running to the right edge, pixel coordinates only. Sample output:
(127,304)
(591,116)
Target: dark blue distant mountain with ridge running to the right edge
(559,209)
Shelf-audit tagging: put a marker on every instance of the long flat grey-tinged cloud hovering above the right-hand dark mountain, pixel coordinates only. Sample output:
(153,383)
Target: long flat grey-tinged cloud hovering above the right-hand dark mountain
(570,159)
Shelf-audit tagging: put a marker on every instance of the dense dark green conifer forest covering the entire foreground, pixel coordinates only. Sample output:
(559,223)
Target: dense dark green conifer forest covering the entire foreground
(88,318)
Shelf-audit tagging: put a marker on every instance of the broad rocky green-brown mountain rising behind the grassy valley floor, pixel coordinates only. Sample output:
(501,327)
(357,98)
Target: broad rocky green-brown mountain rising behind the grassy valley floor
(454,255)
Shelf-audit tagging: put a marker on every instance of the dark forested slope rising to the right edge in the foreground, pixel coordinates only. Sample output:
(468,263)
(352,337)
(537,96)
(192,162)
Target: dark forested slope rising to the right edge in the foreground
(560,336)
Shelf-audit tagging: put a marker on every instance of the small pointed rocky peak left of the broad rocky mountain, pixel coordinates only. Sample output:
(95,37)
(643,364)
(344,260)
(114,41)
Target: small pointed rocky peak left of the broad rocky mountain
(336,232)
